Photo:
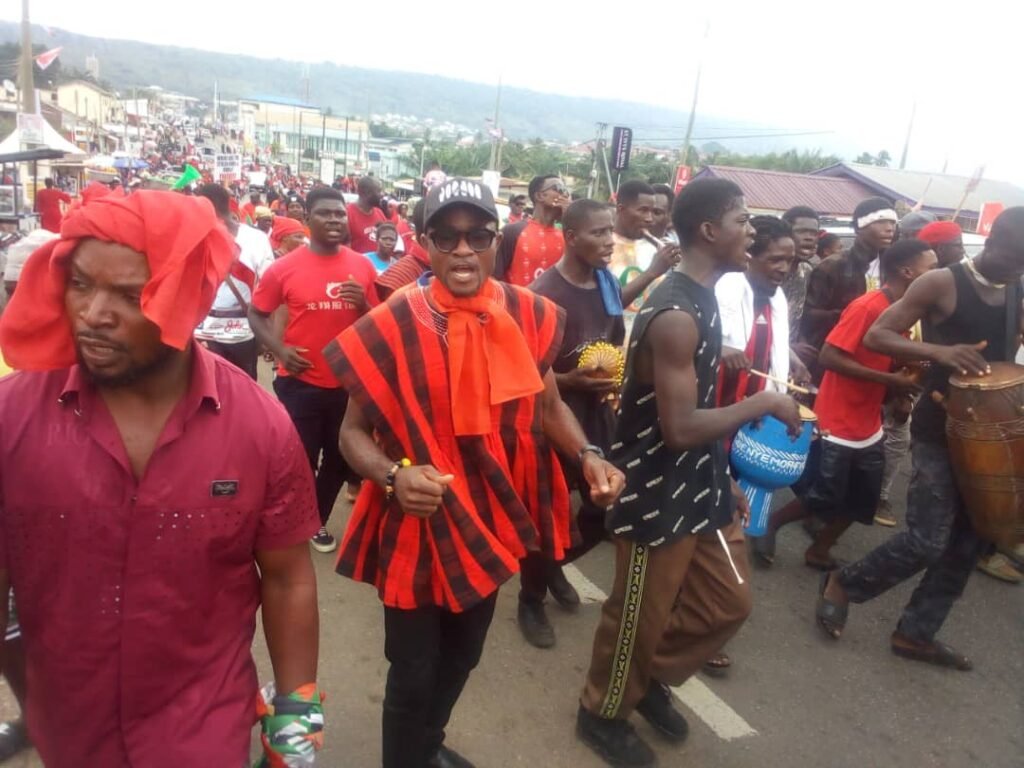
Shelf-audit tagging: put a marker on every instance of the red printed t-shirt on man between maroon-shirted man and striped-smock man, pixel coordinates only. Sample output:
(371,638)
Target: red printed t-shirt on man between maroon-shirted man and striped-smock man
(309,285)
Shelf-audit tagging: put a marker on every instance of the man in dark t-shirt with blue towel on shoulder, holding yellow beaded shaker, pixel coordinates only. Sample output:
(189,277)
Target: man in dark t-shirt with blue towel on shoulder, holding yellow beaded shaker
(583,286)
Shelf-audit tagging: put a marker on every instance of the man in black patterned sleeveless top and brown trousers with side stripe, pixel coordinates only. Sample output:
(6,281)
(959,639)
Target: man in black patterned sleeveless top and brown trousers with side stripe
(680,590)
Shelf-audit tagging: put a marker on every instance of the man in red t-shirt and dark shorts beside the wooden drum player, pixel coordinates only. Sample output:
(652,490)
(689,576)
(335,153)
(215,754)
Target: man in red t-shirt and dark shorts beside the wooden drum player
(845,472)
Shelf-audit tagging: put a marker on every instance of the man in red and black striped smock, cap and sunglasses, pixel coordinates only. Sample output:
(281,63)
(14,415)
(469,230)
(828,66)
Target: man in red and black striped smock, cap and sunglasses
(457,496)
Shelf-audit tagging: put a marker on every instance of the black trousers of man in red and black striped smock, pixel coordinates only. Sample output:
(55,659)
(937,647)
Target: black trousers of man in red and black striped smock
(432,652)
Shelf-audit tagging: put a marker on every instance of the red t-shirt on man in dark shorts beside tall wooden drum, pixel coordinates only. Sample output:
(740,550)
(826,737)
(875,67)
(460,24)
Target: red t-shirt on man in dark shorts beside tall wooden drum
(851,409)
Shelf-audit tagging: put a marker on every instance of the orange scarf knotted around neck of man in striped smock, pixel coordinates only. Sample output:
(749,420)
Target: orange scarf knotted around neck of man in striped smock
(489,361)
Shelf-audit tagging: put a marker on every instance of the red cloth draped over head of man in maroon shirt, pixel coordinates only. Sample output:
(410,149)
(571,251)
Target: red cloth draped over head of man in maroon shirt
(189,250)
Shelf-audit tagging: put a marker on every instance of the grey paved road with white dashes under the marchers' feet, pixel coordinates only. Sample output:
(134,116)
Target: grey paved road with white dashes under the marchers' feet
(813,703)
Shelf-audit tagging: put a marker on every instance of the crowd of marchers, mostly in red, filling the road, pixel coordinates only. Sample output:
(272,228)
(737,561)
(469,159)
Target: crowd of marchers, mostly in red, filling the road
(498,400)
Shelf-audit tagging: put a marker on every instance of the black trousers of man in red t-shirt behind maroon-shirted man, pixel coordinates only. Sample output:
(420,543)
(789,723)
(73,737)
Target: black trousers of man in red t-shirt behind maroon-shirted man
(317,413)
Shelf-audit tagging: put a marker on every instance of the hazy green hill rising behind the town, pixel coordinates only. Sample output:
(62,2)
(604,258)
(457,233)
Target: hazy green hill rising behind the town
(349,91)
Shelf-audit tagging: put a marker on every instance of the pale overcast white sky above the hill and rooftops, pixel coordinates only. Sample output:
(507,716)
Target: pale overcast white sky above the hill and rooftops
(852,68)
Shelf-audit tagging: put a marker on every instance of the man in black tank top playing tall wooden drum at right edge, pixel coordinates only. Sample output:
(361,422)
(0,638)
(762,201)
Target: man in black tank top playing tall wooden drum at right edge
(971,317)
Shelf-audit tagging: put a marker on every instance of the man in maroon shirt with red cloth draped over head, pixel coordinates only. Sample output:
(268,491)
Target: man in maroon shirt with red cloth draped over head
(182,502)
